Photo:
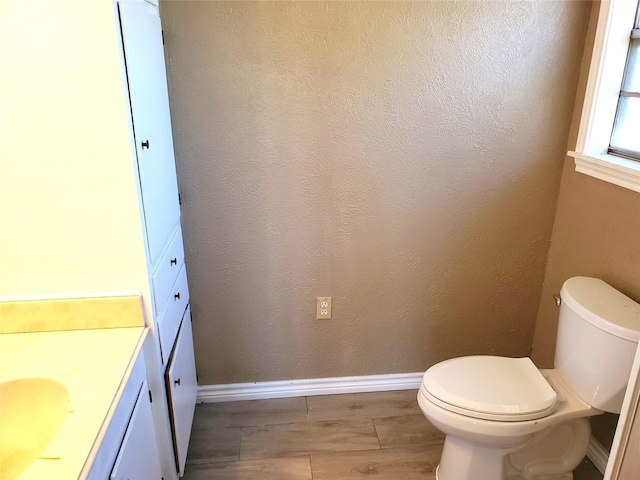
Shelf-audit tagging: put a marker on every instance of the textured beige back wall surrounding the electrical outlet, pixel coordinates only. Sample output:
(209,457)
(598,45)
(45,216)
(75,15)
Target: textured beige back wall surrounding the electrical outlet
(401,157)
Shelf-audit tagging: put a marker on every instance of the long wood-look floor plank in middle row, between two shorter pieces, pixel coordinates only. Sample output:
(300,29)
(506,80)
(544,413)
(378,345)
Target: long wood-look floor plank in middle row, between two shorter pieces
(306,438)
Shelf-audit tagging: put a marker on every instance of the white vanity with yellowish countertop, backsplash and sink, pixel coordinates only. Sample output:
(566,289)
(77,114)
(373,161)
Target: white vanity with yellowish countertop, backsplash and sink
(74,390)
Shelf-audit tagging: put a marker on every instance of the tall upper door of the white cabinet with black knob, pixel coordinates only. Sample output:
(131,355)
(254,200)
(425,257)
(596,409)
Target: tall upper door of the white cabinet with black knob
(147,80)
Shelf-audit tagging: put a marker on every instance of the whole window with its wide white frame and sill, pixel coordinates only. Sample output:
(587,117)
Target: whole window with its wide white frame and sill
(601,151)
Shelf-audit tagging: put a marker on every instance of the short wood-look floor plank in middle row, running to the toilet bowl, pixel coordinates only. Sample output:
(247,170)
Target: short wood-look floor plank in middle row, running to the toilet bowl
(405,431)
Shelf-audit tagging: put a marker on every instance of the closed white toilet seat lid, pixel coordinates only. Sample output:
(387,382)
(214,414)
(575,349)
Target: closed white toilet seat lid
(500,388)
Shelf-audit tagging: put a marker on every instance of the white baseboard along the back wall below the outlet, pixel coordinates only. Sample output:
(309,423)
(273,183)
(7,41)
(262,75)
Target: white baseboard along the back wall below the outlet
(307,387)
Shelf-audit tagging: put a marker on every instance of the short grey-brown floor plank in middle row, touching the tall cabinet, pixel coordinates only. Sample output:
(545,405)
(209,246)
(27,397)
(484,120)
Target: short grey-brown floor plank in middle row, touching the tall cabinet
(214,445)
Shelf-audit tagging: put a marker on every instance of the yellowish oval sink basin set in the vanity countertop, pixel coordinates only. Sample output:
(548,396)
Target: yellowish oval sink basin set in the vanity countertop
(31,412)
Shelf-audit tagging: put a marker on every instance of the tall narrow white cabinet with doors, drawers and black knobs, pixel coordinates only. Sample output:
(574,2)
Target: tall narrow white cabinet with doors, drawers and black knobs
(146,81)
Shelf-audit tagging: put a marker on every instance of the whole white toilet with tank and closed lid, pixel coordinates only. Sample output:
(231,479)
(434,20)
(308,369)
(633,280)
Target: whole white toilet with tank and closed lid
(505,420)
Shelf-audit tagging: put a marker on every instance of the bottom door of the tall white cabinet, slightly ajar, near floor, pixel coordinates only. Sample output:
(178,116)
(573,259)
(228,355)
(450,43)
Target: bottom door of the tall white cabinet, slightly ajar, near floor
(182,389)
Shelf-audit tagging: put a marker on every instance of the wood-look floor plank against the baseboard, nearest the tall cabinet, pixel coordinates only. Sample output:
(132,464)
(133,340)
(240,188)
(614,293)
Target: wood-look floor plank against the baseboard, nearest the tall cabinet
(250,413)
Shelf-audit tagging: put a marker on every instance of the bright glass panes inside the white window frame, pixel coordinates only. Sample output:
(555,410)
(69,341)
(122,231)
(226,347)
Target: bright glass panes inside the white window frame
(625,137)
